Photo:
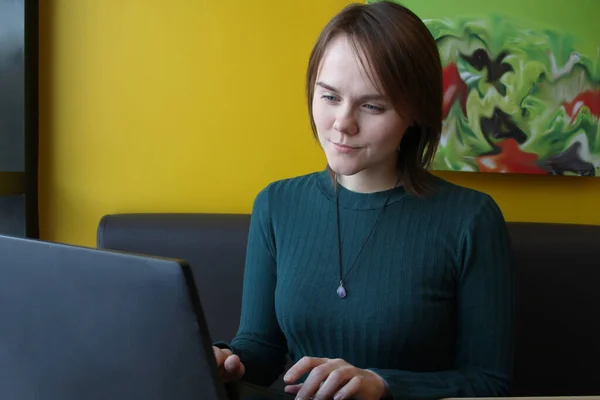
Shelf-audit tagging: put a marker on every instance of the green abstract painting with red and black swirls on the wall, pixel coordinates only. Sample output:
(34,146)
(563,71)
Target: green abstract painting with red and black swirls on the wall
(521,85)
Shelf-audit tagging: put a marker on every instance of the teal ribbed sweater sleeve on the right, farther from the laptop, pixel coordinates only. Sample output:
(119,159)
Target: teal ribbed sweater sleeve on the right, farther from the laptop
(485,310)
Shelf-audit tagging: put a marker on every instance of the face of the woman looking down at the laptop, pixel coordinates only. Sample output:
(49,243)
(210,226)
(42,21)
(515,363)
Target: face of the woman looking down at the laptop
(358,128)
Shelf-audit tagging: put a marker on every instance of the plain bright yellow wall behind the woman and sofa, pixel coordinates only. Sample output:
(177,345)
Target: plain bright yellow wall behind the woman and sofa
(194,106)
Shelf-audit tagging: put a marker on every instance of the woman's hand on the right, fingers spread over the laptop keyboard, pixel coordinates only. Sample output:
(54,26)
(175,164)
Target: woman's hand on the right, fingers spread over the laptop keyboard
(333,379)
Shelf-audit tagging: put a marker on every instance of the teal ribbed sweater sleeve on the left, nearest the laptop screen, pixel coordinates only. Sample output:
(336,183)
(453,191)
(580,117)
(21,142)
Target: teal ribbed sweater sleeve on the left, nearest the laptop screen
(260,343)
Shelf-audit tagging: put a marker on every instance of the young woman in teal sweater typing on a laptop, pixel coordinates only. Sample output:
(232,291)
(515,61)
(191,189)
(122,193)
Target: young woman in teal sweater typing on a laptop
(377,278)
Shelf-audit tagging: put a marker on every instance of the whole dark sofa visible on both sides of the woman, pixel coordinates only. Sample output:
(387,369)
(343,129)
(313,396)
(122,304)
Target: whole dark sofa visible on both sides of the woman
(558,288)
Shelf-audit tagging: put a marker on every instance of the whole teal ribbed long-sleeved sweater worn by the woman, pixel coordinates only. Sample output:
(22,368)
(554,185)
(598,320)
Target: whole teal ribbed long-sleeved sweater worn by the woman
(430,300)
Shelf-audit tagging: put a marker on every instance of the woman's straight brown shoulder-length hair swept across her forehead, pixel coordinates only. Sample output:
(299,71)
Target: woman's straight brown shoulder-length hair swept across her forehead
(402,54)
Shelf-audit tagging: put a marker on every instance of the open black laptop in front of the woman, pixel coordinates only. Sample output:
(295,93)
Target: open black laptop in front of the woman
(84,323)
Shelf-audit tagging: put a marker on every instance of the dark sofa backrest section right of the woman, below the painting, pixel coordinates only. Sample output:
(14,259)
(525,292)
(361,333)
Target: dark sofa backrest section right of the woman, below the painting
(558,309)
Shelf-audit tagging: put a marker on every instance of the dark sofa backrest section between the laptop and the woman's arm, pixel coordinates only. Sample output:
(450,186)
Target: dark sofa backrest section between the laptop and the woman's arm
(213,244)
